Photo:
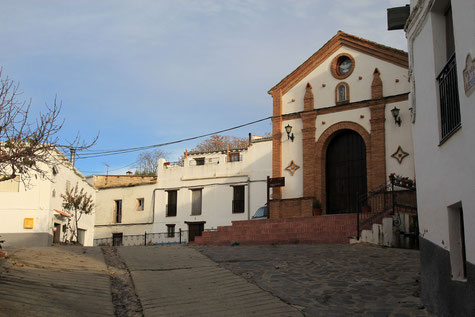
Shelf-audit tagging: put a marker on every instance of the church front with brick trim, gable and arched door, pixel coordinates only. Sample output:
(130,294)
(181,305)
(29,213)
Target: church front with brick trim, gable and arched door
(341,125)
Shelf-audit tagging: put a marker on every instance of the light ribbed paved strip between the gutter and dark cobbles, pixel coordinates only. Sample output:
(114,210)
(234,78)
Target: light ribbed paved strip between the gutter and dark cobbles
(179,281)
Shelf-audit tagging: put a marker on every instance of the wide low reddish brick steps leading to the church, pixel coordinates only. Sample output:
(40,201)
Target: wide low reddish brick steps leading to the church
(319,229)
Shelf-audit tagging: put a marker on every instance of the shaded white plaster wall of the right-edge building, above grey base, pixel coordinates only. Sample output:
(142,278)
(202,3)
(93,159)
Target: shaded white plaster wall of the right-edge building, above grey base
(445,172)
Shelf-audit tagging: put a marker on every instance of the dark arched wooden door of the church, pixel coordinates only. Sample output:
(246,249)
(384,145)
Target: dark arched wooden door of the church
(345,172)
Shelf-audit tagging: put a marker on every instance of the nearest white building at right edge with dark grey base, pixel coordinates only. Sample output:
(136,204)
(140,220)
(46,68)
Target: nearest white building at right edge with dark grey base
(441,38)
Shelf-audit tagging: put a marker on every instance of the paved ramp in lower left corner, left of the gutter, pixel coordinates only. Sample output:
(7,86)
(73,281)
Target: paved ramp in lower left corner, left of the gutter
(55,281)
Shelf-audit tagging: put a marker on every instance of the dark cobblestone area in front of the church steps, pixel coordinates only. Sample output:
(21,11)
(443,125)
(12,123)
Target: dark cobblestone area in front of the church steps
(331,280)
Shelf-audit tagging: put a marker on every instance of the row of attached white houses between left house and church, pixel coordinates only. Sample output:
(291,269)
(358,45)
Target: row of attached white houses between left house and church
(206,190)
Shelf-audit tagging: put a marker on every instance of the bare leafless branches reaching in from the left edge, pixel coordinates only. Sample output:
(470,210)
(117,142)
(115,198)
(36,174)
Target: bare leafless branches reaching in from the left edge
(24,143)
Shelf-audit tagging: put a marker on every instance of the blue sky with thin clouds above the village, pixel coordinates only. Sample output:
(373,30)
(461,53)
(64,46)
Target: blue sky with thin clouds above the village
(146,72)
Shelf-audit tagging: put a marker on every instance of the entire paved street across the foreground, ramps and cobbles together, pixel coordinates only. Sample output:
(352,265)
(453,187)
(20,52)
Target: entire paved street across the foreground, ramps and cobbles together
(284,280)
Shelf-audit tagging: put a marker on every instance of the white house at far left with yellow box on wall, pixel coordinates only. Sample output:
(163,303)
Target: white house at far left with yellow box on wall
(32,214)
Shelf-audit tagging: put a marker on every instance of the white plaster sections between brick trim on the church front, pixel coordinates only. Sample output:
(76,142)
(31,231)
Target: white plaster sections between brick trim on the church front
(360,90)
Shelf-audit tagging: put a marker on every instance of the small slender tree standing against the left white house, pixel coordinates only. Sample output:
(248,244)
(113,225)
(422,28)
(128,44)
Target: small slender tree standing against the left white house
(77,203)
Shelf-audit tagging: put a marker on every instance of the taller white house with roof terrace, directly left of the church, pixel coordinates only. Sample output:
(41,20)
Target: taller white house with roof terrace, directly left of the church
(212,189)
